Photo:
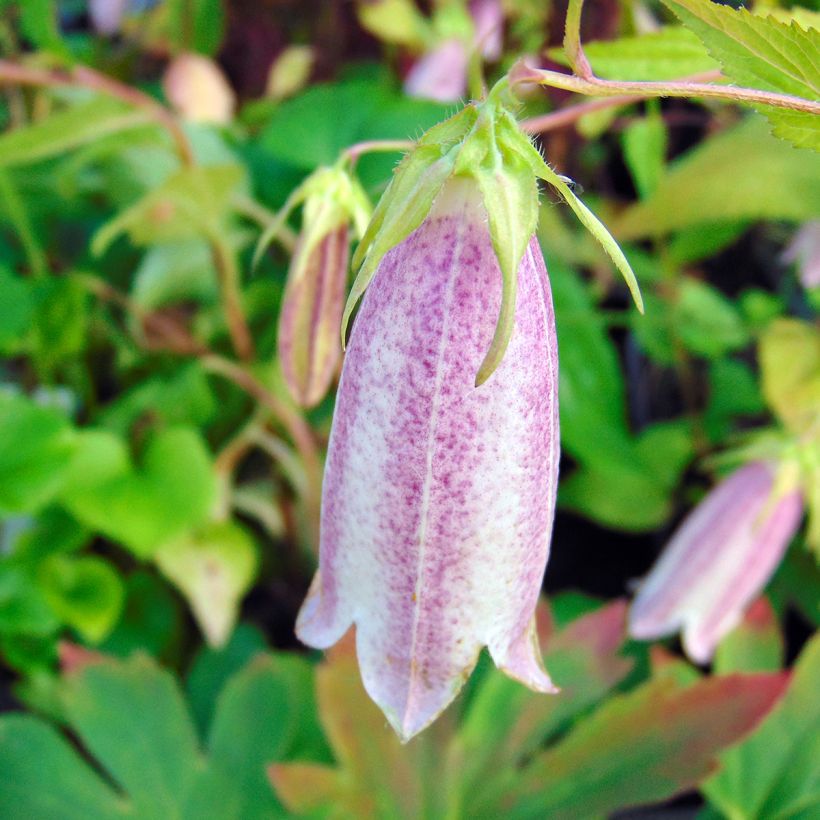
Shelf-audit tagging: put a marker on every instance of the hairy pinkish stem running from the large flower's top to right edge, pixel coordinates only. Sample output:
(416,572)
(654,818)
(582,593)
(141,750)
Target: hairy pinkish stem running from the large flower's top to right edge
(595,87)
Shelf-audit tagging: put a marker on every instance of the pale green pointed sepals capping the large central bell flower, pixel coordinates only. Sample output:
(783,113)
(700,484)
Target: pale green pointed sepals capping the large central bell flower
(484,143)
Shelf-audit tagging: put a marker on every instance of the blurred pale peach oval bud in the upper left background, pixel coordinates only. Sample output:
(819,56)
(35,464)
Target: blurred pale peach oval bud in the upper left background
(197,89)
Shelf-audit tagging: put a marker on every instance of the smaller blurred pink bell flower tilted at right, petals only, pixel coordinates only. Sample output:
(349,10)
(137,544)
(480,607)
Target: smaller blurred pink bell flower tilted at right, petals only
(718,560)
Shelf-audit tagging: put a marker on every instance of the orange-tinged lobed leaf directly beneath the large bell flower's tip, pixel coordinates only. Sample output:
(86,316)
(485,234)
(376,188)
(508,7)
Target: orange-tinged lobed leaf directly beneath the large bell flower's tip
(378,777)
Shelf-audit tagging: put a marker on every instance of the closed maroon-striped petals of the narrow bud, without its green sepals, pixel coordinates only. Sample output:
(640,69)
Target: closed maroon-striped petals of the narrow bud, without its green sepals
(309,346)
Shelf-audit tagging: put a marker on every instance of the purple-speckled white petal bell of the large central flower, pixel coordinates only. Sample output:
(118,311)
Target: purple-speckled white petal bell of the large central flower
(438,496)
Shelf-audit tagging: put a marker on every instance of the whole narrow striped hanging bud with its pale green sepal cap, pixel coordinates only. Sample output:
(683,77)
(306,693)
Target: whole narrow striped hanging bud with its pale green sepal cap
(309,347)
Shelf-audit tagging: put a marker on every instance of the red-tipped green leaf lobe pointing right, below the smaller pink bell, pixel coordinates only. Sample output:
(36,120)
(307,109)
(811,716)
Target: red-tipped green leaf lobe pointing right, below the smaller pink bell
(641,747)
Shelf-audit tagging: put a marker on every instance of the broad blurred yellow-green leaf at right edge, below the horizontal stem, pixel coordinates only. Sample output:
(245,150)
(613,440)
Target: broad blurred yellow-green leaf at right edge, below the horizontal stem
(742,174)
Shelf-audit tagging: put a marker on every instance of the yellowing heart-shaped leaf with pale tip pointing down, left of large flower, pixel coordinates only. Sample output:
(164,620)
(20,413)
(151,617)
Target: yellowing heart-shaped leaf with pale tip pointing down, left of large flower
(213,568)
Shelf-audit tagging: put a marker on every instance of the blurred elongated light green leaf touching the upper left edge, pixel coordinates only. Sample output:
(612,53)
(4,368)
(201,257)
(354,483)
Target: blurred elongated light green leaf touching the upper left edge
(66,130)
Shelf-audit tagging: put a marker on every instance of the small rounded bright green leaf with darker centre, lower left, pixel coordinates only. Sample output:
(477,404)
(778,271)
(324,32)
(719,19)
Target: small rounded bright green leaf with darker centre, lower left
(86,593)
